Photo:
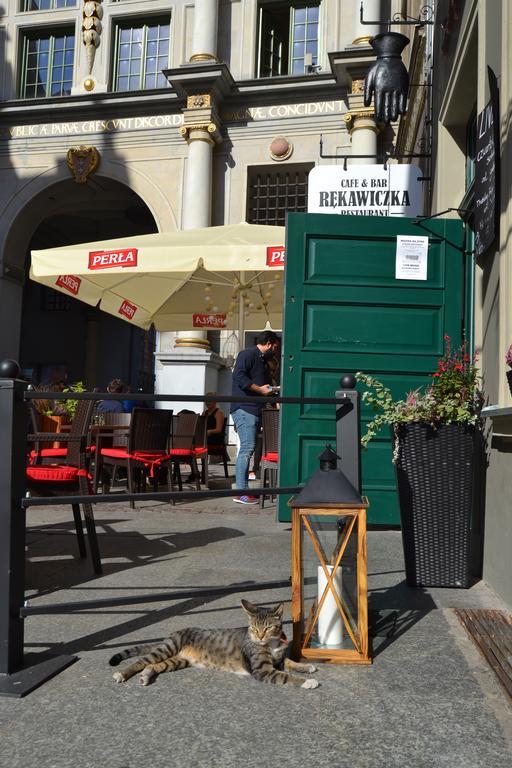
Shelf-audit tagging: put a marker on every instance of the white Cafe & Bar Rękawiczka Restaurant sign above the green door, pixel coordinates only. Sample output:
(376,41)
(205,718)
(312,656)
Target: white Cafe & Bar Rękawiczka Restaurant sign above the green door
(365,190)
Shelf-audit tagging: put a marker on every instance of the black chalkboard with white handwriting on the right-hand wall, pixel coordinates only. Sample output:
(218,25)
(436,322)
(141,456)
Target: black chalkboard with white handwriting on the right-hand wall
(486,204)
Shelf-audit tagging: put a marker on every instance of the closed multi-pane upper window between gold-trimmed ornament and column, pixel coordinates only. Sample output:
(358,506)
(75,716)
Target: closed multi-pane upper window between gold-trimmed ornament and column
(141,53)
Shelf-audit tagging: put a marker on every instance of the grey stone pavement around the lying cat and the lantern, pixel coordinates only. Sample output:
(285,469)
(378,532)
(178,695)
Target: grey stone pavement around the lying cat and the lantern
(429,699)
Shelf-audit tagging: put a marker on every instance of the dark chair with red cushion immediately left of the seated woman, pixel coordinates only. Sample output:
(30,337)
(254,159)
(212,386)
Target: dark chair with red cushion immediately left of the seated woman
(188,446)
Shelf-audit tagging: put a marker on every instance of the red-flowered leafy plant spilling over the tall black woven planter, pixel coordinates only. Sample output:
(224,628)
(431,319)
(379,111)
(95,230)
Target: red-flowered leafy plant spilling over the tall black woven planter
(453,396)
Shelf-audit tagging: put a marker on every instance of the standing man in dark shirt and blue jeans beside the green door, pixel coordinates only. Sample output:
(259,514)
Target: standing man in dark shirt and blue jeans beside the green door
(250,377)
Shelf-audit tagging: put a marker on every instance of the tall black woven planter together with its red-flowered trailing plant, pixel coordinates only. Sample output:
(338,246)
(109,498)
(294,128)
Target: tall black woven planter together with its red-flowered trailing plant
(438,454)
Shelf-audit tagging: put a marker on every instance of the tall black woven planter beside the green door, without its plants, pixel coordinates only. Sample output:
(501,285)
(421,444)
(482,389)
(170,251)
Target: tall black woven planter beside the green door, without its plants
(437,473)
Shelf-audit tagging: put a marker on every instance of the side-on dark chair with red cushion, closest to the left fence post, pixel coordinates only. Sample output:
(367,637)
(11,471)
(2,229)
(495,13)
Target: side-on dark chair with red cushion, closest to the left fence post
(70,477)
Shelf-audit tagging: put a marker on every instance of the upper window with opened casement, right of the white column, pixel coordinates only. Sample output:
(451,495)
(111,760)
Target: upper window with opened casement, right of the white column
(288,38)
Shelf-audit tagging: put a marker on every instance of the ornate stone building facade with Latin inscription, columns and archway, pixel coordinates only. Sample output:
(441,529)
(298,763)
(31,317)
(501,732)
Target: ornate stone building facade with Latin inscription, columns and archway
(193,114)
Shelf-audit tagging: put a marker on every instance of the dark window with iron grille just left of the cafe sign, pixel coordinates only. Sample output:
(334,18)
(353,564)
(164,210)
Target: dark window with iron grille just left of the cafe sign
(271,193)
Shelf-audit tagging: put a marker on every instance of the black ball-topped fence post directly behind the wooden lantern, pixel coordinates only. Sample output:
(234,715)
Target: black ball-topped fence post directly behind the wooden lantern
(348,431)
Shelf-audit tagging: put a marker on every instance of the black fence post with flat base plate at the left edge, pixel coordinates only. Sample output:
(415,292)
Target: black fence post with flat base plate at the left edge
(15,680)
